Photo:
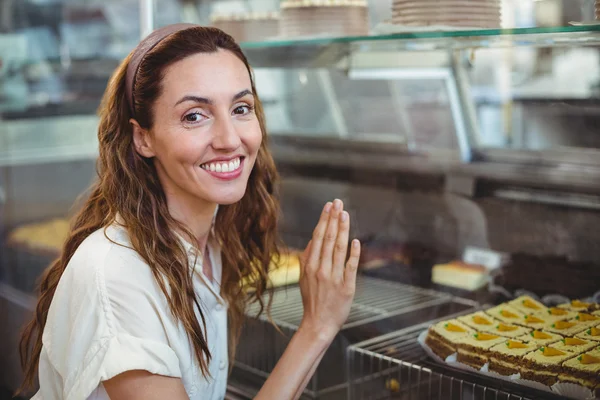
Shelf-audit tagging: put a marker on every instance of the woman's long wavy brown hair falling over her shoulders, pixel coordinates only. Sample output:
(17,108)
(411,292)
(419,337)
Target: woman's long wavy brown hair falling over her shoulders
(128,186)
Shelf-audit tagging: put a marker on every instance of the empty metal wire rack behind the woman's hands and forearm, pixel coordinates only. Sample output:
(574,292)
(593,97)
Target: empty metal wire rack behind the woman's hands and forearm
(377,303)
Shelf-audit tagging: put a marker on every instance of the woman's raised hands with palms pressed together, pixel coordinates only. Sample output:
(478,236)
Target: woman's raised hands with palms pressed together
(327,280)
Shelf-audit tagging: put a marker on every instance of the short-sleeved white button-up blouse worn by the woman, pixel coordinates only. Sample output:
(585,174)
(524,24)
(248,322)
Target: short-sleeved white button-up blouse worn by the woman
(109,316)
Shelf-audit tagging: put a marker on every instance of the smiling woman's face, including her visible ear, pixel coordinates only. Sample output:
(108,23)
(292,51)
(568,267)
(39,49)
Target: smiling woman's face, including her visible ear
(205,136)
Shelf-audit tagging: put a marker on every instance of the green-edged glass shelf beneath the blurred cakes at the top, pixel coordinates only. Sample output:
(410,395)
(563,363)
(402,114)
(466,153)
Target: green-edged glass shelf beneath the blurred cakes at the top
(325,52)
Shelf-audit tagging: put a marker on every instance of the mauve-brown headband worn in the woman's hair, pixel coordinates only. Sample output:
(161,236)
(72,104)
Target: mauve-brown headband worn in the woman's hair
(140,52)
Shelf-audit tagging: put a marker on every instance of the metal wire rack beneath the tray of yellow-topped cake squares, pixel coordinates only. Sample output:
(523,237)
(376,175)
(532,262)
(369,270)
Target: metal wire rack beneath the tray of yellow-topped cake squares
(395,366)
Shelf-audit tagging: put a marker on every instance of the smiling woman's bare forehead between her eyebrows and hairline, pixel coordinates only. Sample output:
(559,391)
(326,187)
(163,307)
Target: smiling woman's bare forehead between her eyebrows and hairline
(207,74)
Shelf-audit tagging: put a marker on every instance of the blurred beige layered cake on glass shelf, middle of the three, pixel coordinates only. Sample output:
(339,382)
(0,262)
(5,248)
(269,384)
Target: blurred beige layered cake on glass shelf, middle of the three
(324,17)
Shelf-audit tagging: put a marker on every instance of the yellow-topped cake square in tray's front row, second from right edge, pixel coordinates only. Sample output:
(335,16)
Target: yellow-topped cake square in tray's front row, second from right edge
(544,365)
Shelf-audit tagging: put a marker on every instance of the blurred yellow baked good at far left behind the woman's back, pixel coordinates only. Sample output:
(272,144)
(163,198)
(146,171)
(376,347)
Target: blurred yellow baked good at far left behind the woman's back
(46,238)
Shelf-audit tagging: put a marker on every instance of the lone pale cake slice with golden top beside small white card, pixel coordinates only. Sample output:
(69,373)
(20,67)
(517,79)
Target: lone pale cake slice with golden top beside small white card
(460,275)
